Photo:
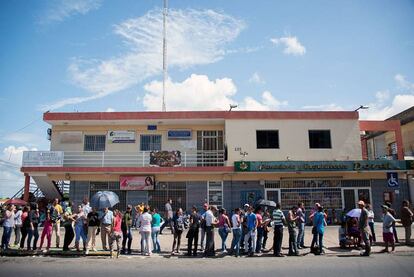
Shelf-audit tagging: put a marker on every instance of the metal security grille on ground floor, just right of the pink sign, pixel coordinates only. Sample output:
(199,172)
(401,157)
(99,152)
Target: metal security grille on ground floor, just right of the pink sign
(163,191)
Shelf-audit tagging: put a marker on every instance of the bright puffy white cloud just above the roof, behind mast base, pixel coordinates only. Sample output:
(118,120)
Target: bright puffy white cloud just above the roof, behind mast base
(199,93)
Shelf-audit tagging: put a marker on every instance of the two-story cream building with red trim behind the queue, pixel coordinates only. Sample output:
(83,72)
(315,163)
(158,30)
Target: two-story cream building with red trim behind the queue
(223,158)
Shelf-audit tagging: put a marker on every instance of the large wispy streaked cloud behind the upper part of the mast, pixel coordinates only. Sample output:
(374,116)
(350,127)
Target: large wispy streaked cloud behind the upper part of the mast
(195,37)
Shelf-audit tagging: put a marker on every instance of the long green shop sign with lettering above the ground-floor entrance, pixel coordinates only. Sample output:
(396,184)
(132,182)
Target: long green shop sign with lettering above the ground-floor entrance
(295,166)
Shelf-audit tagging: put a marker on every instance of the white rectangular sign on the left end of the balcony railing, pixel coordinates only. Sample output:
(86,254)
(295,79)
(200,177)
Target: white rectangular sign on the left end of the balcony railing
(42,158)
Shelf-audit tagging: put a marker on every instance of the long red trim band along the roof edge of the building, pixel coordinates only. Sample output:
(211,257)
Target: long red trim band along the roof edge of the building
(199,115)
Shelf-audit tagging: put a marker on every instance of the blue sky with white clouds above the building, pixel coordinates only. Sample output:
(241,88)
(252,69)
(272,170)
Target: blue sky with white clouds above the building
(101,55)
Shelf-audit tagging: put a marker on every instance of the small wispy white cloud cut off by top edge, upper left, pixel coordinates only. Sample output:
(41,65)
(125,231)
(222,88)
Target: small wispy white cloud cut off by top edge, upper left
(59,10)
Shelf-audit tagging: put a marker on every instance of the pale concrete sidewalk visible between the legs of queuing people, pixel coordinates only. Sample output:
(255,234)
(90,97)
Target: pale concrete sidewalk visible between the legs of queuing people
(330,242)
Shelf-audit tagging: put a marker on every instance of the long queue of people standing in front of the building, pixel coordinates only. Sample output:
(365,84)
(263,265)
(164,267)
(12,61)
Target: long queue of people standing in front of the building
(249,227)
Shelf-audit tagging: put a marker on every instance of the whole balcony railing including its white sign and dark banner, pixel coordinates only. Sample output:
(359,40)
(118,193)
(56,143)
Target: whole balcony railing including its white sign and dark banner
(121,159)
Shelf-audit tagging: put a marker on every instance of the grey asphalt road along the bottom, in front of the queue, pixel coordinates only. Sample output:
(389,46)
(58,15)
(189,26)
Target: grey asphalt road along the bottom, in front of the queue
(377,265)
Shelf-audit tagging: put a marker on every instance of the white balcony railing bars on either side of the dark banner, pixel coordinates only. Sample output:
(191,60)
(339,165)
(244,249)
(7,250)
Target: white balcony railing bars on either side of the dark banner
(126,159)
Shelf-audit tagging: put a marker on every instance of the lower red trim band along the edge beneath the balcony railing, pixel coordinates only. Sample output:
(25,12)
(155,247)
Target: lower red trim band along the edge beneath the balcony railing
(130,169)
